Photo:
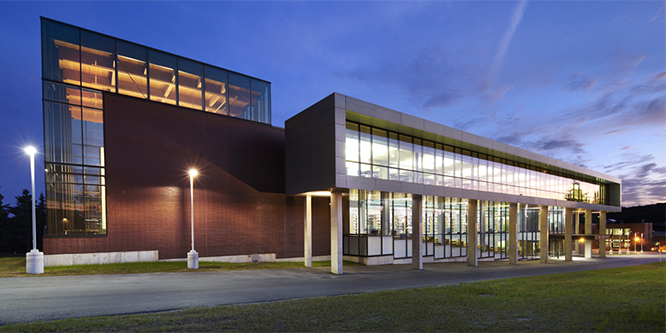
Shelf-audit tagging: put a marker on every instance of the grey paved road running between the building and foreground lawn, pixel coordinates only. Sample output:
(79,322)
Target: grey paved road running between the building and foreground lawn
(28,299)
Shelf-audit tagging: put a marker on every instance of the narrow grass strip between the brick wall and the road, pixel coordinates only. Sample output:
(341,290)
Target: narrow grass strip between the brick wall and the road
(15,267)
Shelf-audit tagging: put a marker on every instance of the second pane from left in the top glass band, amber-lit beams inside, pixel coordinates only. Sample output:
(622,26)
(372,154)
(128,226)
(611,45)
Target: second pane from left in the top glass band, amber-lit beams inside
(98,66)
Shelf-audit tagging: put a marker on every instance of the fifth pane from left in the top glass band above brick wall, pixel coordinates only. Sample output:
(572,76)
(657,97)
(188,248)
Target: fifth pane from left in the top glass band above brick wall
(190,76)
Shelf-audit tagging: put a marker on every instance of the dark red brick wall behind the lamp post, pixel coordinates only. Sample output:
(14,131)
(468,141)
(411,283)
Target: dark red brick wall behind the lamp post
(239,201)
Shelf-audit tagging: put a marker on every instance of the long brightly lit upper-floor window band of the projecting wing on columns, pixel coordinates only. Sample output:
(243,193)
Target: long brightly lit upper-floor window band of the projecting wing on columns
(381,154)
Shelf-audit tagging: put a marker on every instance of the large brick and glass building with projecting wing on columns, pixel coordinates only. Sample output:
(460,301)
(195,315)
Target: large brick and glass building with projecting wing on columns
(345,178)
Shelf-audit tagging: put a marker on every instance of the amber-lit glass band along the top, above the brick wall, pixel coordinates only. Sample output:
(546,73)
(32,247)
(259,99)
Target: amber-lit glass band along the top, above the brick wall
(84,58)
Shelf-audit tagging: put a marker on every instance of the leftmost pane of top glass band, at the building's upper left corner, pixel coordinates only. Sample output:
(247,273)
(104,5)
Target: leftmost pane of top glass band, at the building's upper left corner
(60,47)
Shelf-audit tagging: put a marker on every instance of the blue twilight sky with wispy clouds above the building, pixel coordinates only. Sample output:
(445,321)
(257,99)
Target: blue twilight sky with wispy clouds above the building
(580,81)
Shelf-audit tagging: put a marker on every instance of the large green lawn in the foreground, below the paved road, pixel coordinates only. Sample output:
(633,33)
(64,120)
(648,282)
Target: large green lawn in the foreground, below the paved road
(612,300)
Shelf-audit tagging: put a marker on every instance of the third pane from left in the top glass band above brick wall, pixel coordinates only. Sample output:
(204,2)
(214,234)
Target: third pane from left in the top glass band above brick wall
(132,70)
